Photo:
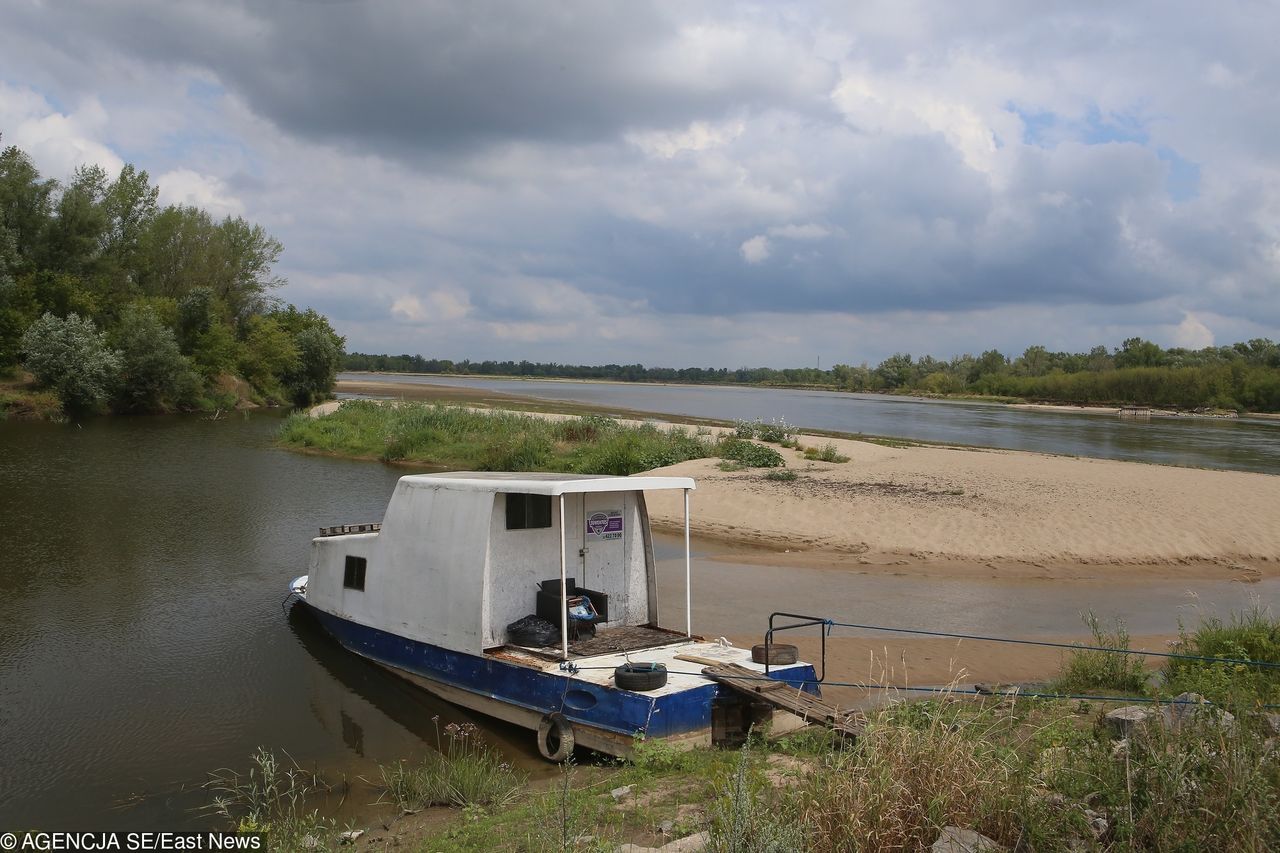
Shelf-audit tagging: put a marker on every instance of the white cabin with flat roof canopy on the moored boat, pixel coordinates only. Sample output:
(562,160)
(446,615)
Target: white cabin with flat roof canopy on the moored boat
(461,556)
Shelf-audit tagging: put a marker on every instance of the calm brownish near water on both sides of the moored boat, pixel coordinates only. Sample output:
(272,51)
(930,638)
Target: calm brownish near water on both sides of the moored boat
(144,644)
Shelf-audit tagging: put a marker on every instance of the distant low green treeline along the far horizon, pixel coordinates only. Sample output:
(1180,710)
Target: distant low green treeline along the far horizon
(1242,376)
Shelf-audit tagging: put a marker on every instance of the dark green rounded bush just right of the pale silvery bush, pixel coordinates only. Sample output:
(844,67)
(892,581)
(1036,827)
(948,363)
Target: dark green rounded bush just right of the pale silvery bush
(156,375)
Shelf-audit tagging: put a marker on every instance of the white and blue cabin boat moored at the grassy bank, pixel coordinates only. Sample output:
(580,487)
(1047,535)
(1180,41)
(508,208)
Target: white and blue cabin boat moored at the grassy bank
(533,599)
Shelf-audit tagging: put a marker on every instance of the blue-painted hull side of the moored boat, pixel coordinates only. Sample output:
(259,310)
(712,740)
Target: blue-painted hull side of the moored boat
(487,685)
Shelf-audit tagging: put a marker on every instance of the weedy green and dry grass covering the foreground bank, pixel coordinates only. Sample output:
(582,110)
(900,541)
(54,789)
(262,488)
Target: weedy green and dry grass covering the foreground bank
(1027,773)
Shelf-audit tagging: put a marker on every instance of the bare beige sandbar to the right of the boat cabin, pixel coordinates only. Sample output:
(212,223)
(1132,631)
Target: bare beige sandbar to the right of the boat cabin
(993,513)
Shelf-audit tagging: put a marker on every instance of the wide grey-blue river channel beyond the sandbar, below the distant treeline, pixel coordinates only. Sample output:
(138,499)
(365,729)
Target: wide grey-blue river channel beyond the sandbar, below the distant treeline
(1244,445)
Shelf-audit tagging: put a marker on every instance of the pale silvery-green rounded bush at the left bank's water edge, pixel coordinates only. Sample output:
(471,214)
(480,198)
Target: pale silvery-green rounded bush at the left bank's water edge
(72,358)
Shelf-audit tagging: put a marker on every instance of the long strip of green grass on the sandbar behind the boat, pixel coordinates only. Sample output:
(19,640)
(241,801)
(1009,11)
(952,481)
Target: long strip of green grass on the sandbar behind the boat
(500,441)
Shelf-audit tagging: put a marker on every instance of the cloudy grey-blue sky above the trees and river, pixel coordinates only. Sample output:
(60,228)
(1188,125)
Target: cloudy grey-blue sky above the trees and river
(698,184)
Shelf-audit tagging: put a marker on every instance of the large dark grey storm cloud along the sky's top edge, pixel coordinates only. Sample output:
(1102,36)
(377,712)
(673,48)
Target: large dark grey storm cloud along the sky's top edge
(413,77)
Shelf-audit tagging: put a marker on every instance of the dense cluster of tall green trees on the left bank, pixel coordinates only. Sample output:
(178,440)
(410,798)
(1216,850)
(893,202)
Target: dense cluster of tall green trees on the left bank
(111,300)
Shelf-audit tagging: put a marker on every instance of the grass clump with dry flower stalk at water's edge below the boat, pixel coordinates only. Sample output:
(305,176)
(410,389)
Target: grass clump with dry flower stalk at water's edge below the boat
(467,774)
